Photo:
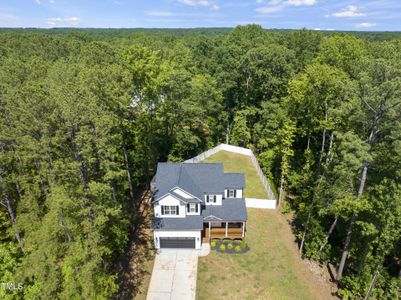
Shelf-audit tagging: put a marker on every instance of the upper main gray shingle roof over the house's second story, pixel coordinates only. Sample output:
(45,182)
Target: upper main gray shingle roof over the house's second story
(195,178)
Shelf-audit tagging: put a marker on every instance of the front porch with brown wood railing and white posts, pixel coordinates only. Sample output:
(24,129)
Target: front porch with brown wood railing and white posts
(221,230)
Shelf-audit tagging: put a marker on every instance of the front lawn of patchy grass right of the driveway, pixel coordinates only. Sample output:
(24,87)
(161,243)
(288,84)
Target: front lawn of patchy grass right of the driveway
(272,269)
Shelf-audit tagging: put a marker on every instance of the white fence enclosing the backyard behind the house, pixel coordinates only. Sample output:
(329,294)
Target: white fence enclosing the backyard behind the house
(240,150)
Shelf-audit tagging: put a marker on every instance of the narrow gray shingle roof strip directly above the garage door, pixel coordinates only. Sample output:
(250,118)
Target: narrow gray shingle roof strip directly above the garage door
(187,223)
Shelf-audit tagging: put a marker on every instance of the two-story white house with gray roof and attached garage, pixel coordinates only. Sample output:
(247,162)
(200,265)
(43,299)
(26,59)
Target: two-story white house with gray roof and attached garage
(194,202)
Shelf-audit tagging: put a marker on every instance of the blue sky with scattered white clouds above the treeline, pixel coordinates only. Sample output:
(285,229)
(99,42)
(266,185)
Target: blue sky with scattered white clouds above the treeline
(312,14)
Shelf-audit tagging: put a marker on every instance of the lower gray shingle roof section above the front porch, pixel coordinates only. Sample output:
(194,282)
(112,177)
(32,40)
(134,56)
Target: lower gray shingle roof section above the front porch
(230,210)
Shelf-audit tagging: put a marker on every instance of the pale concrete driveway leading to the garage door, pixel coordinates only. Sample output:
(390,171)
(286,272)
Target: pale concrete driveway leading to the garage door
(174,275)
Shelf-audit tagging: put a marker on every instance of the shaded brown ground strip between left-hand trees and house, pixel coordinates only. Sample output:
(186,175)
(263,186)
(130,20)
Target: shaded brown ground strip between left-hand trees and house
(132,266)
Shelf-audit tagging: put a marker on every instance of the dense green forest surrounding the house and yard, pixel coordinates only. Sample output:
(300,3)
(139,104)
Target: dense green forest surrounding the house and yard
(85,115)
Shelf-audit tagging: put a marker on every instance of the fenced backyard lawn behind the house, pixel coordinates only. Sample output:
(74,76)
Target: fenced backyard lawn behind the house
(234,162)
